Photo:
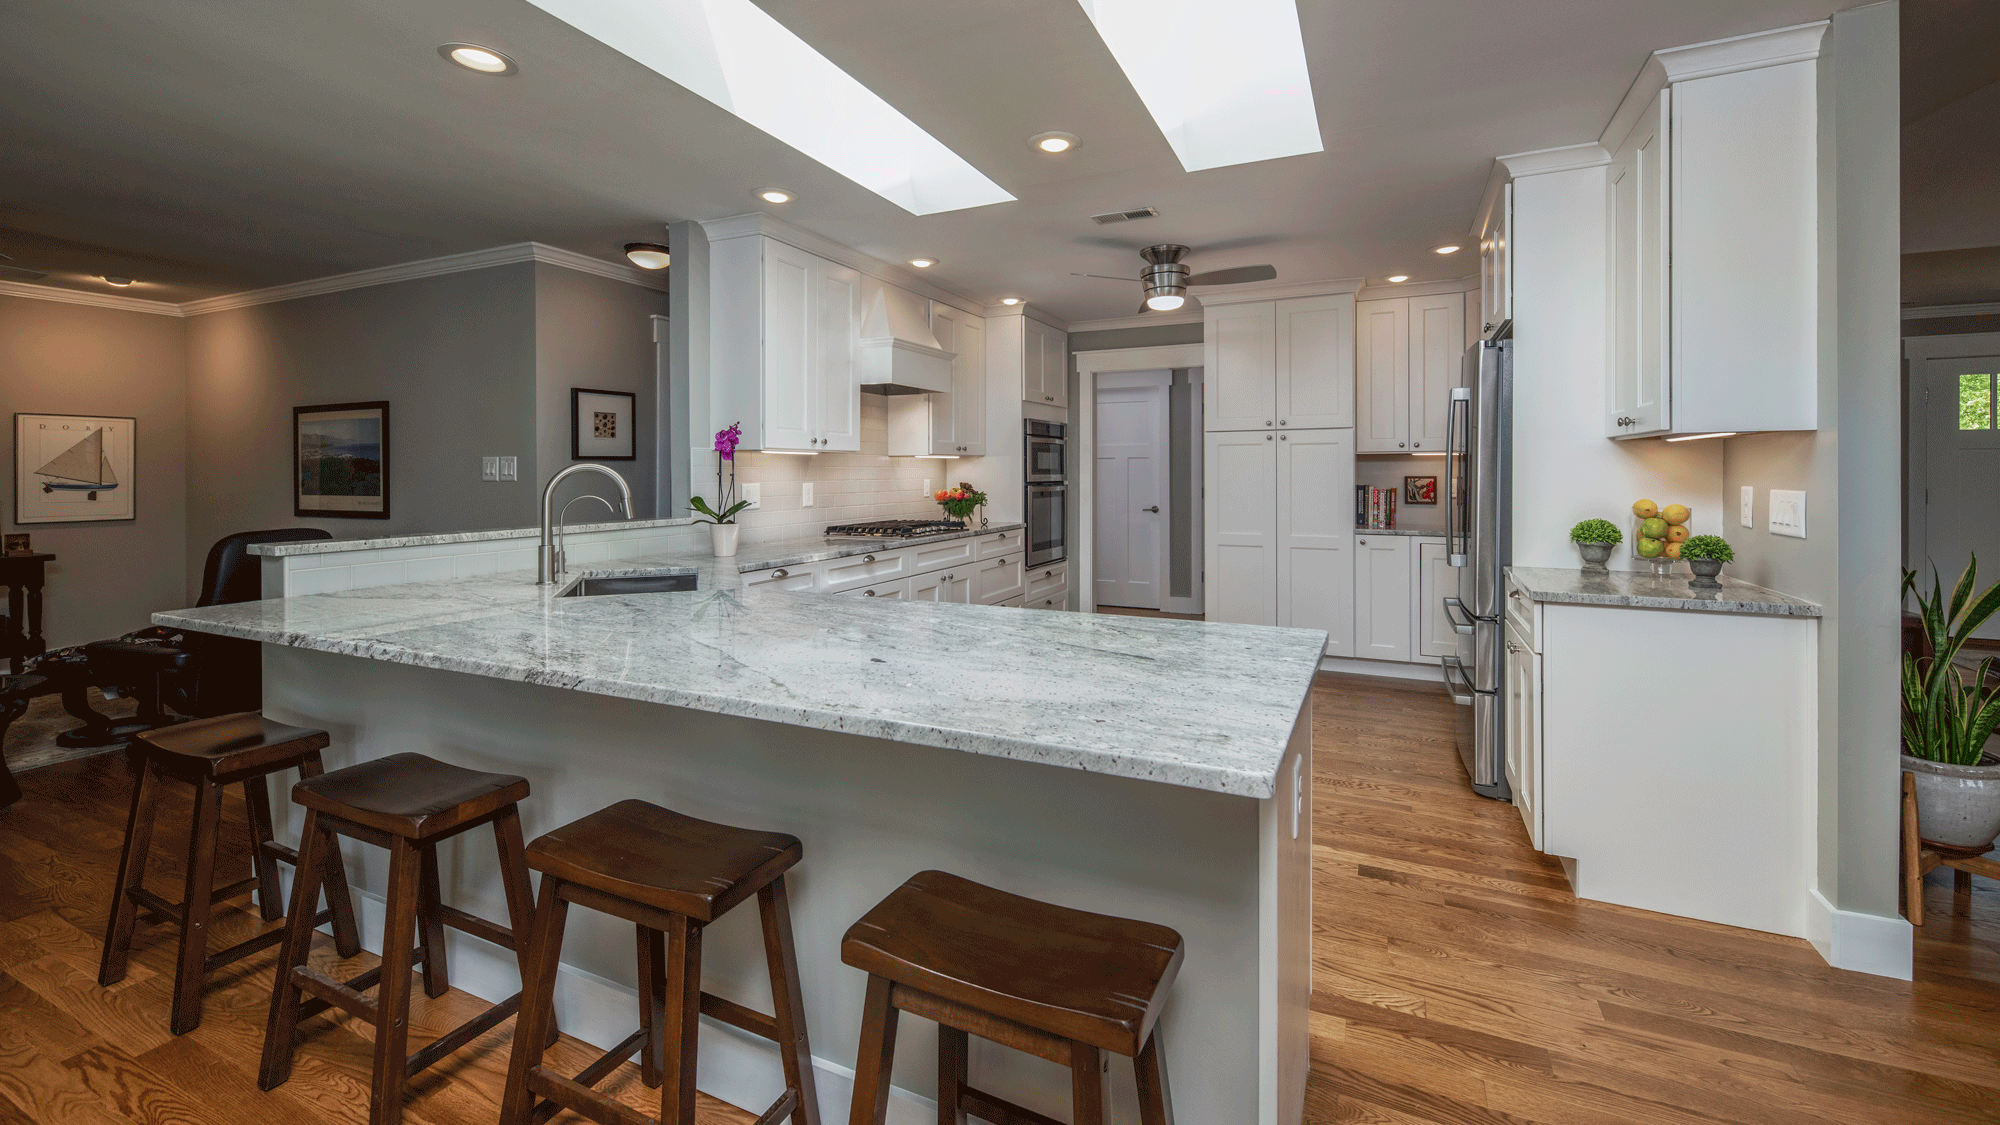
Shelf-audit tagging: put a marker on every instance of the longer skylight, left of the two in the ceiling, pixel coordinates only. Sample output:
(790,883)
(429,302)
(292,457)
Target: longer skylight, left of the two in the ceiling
(747,63)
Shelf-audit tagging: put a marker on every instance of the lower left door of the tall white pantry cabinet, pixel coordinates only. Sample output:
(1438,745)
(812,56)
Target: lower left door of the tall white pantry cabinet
(1241,513)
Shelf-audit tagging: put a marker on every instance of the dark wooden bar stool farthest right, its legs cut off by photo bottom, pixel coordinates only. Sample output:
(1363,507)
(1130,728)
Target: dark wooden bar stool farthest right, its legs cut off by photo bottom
(1059,984)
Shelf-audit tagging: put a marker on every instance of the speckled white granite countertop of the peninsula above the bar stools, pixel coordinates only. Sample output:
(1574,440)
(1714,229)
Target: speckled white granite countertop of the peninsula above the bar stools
(1175,702)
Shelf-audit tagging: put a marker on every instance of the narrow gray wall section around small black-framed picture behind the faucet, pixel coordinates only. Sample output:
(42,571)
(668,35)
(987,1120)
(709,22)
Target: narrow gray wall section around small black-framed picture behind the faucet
(595,333)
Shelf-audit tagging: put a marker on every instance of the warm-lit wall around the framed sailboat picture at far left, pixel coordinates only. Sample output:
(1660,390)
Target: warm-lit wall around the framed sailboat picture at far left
(71,359)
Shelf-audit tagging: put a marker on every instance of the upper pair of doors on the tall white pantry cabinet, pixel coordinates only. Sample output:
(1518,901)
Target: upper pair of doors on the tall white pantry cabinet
(1275,365)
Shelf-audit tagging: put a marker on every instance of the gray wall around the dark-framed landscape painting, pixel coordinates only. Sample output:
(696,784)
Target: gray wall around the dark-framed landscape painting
(453,355)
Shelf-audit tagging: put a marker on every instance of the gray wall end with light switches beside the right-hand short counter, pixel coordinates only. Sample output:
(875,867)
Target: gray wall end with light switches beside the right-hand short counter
(1851,467)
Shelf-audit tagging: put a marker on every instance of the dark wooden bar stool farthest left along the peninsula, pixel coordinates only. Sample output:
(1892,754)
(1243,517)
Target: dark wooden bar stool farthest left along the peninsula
(215,754)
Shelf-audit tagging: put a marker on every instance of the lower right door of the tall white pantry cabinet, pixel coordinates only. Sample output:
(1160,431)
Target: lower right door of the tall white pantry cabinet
(1317,535)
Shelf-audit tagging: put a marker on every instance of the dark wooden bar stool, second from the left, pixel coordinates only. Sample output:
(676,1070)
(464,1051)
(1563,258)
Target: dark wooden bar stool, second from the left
(407,806)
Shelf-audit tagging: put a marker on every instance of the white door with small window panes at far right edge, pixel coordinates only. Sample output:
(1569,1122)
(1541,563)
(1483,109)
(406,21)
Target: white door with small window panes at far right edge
(1961,467)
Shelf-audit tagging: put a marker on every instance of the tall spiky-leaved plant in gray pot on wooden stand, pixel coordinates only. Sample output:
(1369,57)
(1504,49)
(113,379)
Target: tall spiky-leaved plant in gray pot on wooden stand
(1947,722)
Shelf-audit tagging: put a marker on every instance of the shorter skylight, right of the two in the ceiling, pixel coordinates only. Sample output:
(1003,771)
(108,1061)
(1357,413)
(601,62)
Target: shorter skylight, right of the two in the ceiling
(1225,79)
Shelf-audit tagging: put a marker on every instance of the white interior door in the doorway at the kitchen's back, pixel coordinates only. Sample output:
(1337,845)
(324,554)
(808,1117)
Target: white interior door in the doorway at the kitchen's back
(1133,501)
